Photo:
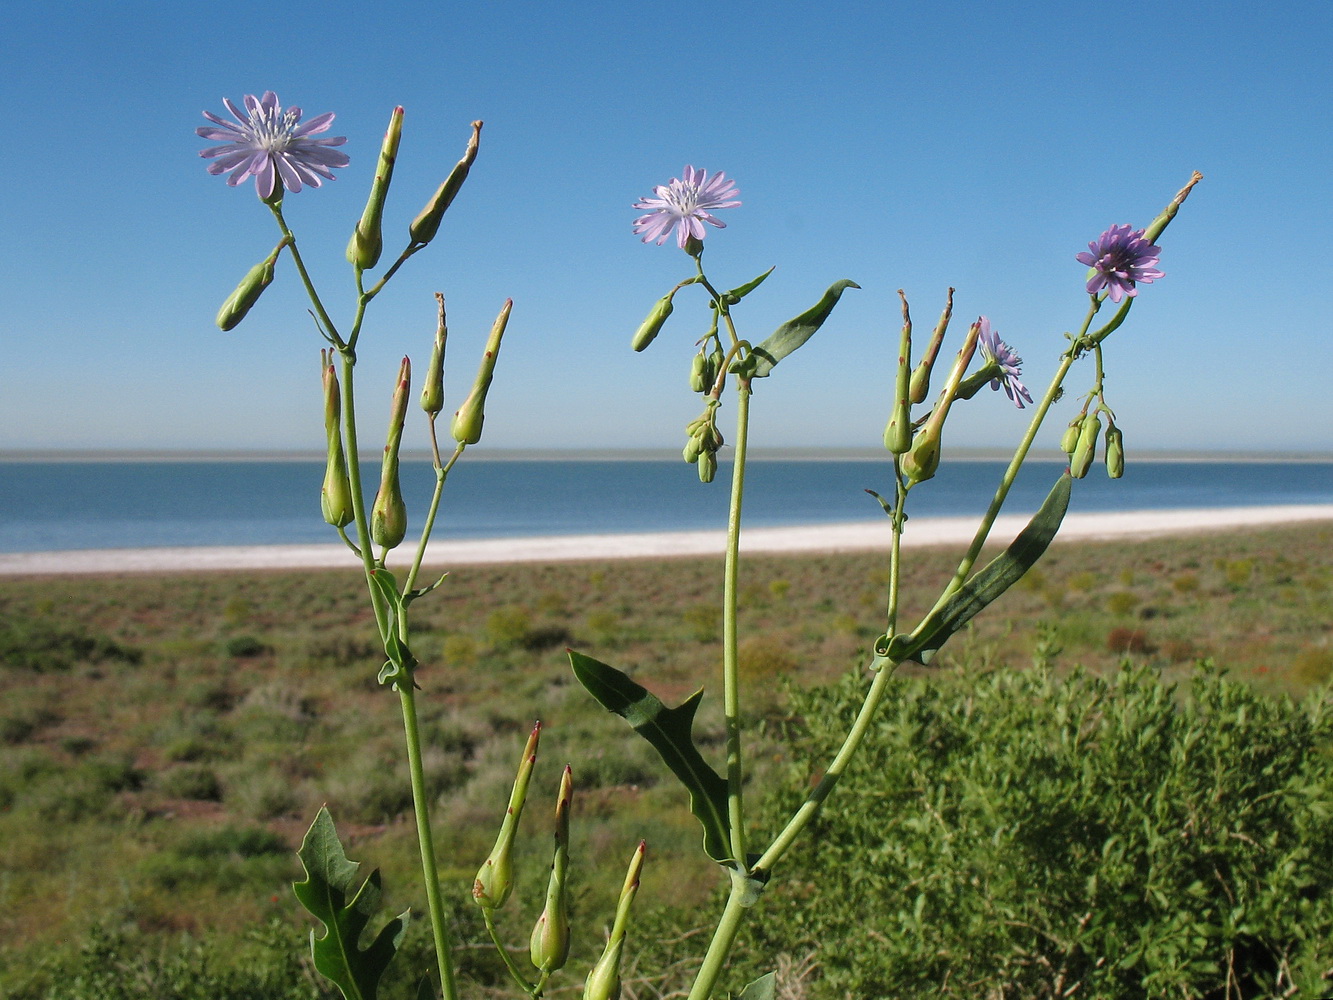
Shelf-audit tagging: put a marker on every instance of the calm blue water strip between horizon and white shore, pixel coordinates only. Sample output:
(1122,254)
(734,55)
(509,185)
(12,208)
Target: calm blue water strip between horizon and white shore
(130,505)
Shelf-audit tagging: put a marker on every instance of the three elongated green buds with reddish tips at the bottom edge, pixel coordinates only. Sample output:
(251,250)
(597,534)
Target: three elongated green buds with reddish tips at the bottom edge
(549,946)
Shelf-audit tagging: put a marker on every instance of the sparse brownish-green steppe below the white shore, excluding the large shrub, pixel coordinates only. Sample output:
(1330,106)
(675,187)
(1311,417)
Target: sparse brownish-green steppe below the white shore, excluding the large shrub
(165,741)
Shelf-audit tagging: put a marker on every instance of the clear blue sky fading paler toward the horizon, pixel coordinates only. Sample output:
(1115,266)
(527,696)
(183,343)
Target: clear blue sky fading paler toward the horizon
(902,146)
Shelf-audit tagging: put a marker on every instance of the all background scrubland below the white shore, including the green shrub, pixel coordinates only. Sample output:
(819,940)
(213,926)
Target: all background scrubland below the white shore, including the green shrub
(165,742)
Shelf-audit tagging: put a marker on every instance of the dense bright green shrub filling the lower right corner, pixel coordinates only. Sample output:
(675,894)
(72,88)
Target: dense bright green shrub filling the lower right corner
(1015,835)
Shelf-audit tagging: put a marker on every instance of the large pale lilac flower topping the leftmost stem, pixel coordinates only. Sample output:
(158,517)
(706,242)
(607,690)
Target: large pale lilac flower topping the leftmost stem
(273,146)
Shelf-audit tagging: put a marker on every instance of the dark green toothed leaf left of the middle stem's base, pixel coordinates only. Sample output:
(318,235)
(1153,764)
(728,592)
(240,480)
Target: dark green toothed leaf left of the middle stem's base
(671,734)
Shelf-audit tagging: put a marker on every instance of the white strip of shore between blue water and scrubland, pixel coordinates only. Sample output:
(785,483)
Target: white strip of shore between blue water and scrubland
(859,537)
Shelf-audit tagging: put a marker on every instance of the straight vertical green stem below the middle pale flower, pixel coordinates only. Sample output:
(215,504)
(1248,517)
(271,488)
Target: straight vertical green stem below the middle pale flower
(731,673)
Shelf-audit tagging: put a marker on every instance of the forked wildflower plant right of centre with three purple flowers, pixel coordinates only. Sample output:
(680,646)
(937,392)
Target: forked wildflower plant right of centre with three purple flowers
(1119,262)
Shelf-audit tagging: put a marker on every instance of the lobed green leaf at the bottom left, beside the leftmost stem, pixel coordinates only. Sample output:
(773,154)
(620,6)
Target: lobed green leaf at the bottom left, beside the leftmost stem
(331,894)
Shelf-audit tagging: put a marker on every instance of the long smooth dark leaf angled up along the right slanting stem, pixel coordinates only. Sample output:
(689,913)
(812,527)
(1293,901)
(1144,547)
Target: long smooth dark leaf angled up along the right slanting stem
(988,585)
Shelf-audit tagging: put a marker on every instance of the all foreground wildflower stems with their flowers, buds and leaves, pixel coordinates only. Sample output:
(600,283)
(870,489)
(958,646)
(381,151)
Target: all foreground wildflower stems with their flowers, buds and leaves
(285,157)
